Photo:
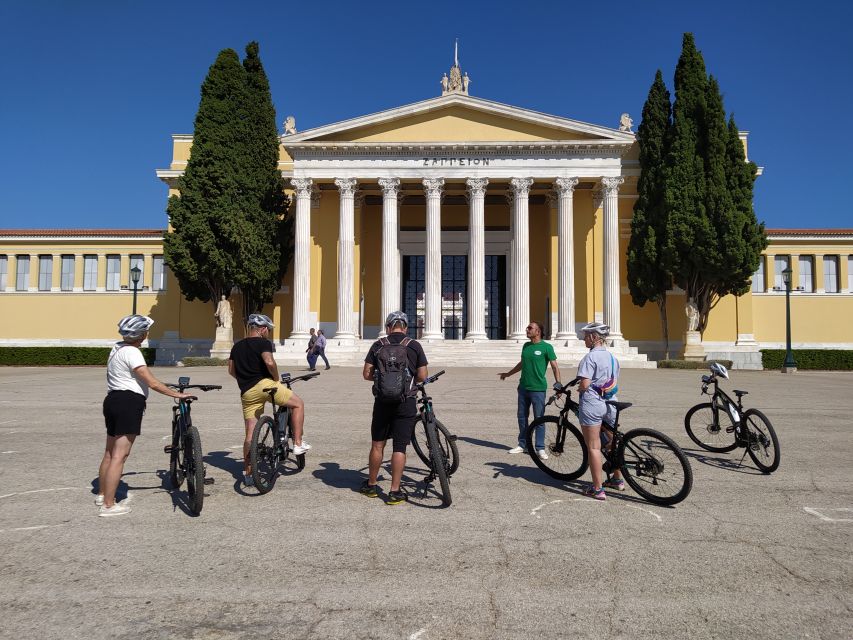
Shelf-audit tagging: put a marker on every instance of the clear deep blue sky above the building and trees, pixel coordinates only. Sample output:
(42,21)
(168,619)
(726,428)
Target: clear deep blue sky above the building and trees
(92,91)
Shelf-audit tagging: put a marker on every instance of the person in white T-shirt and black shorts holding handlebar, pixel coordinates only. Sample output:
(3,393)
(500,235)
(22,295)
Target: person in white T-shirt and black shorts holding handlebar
(128,382)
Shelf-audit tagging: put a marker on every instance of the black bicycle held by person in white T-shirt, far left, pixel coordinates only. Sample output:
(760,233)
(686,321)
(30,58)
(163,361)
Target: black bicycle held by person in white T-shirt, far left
(185,455)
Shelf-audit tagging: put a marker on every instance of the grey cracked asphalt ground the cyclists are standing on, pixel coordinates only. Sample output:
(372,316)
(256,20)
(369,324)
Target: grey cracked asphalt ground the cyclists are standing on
(517,555)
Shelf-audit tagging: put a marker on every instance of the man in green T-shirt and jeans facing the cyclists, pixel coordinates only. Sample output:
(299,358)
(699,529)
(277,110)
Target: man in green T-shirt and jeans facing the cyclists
(535,356)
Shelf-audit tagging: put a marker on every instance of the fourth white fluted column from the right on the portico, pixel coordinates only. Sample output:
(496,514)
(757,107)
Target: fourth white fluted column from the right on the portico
(476,259)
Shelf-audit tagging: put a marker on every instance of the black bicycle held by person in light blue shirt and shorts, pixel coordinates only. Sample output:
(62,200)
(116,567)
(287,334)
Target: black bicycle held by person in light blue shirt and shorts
(652,463)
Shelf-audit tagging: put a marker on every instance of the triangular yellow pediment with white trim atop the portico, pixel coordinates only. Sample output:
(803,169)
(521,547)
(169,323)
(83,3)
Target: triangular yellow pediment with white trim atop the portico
(458,119)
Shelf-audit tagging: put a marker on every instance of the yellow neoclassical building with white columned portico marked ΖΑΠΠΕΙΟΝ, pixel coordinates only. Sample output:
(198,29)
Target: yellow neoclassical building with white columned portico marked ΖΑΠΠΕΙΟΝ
(472,216)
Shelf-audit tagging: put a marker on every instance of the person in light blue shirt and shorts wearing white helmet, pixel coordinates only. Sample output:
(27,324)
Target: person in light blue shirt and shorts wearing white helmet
(598,371)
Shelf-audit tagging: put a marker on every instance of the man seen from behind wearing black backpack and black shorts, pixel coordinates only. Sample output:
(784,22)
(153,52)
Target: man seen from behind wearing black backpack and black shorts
(394,363)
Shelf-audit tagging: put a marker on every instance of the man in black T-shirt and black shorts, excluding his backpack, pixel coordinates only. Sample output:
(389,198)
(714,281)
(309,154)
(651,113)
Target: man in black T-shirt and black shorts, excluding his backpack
(396,421)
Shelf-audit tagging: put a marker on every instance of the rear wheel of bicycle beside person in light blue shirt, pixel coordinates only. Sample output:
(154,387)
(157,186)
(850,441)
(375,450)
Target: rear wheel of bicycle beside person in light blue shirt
(655,466)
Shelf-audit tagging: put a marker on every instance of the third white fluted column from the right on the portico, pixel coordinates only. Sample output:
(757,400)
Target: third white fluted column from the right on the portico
(520,293)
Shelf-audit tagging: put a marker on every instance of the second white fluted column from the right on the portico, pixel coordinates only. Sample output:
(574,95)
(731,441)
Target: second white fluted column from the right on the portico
(565,188)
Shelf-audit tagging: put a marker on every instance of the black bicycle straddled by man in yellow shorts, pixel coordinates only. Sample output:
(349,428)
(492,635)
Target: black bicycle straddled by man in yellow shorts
(272,441)
